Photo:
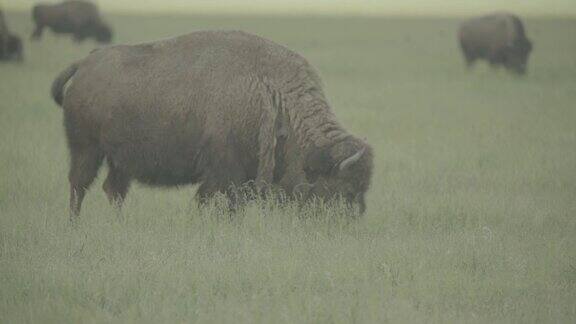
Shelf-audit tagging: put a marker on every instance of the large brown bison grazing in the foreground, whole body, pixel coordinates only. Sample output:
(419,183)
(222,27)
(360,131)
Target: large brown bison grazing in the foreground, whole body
(218,108)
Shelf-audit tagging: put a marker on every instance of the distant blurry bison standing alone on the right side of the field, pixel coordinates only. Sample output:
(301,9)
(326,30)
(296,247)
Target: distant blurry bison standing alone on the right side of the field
(498,38)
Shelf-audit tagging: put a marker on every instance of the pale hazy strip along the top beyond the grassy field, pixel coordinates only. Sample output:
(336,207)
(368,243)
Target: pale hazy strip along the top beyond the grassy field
(327,7)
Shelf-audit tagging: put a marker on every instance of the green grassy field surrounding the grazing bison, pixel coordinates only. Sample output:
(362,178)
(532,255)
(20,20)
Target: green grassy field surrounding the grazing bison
(471,215)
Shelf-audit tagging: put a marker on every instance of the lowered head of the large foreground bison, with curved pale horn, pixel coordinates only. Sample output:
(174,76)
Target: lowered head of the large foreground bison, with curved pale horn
(341,171)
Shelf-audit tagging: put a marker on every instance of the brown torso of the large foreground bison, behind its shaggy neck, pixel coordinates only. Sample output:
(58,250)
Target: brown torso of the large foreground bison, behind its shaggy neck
(157,108)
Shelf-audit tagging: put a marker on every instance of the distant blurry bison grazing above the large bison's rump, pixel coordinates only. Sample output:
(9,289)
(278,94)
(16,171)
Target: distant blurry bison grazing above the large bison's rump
(76,17)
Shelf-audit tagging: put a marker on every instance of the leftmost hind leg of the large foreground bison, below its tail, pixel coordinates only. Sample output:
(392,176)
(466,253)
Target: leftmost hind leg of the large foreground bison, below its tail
(85,162)
